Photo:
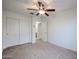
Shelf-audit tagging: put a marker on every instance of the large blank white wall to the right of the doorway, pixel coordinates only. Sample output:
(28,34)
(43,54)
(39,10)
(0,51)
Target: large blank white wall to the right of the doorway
(62,29)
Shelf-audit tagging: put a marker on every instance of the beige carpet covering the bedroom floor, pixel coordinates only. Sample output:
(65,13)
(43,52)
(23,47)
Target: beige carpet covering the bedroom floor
(40,50)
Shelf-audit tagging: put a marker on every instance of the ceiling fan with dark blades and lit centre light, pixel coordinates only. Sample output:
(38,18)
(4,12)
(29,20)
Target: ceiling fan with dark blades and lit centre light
(41,9)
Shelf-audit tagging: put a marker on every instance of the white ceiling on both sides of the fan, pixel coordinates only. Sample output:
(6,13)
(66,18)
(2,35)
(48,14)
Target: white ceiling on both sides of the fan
(21,5)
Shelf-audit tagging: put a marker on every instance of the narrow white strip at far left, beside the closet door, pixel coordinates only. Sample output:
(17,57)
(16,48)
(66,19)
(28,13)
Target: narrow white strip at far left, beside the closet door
(4,41)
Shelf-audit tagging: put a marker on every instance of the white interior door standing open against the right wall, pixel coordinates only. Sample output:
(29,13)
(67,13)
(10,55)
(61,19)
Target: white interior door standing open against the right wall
(42,31)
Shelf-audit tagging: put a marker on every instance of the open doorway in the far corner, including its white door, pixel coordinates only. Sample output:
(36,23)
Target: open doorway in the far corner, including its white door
(40,31)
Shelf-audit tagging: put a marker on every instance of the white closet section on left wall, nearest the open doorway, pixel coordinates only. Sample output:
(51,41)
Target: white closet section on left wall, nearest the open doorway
(25,30)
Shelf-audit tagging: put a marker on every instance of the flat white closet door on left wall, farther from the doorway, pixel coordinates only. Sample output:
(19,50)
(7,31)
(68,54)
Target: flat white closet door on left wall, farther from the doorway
(12,32)
